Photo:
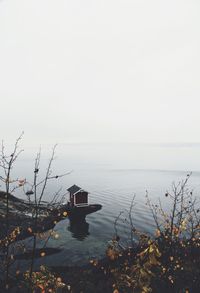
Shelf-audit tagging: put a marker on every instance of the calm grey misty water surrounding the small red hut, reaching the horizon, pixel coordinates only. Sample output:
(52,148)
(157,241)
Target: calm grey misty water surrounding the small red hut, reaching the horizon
(112,174)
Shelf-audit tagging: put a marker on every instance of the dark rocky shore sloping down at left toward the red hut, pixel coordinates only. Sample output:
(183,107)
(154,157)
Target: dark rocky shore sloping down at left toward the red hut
(21,215)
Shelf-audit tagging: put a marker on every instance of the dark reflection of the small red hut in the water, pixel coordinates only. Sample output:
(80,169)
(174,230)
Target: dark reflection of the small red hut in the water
(79,228)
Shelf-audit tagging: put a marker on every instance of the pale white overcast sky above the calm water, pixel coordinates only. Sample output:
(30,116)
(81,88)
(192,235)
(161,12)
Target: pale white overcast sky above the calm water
(100,71)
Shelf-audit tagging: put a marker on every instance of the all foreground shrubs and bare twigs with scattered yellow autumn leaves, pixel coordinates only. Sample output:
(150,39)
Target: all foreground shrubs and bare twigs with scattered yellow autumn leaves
(168,262)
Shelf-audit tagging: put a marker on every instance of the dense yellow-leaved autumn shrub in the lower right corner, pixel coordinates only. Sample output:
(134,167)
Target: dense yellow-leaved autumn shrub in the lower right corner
(167,262)
